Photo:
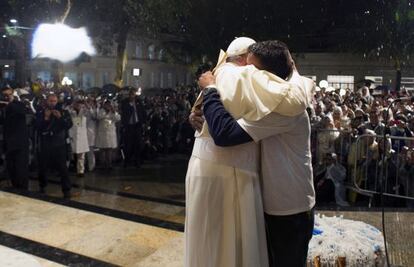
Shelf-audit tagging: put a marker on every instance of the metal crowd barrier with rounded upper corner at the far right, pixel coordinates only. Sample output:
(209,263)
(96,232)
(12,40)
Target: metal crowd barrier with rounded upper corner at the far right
(396,172)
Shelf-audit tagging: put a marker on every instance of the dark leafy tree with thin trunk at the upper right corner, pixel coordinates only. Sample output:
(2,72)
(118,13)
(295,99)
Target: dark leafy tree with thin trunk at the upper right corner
(383,30)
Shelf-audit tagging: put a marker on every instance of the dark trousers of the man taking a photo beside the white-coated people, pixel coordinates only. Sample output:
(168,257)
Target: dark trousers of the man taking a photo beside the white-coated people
(54,157)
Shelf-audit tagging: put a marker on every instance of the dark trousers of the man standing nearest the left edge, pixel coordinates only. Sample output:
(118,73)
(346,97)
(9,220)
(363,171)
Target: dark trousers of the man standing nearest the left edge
(17,162)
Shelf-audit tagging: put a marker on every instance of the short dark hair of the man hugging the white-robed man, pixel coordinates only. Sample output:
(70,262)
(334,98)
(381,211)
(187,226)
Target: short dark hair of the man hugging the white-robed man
(274,56)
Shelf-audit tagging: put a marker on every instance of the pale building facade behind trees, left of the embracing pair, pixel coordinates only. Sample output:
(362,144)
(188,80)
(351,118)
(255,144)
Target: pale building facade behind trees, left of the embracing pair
(155,71)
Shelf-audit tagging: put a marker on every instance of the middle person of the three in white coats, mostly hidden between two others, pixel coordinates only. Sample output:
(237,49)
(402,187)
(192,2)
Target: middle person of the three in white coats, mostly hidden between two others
(91,125)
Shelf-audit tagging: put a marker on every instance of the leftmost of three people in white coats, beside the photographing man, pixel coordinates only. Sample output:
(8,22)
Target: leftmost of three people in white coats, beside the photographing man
(78,135)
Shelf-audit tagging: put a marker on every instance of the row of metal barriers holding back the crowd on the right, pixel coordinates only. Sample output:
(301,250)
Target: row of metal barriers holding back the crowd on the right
(358,168)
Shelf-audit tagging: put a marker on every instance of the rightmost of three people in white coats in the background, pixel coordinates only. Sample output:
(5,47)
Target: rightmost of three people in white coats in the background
(106,139)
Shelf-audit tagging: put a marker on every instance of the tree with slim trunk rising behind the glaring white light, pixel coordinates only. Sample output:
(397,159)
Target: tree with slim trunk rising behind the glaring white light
(109,21)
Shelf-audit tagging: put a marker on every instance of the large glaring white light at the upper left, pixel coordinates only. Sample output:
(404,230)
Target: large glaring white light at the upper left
(61,42)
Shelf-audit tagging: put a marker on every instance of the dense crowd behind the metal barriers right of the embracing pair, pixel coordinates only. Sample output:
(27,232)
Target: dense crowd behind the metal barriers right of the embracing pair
(348,145)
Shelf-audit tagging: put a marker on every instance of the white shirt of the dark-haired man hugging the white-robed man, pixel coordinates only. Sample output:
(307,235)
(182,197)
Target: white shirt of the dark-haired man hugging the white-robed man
(286,162)
